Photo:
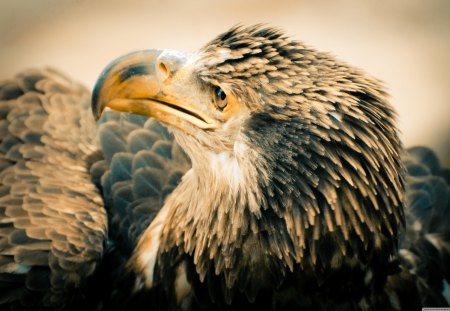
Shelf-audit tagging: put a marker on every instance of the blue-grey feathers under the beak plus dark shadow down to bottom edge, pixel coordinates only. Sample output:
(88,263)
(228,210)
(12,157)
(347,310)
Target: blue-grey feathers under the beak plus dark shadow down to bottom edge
(140,167)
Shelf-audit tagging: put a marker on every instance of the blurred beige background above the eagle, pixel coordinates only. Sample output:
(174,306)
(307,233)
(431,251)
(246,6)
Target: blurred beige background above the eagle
(406,43)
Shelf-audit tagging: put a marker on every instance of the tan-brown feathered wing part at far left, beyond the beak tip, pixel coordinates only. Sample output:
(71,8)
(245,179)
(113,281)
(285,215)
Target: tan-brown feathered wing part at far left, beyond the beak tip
(52,222)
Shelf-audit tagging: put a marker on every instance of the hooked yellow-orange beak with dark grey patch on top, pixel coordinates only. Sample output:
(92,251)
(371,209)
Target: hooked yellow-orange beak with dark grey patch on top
(145,83)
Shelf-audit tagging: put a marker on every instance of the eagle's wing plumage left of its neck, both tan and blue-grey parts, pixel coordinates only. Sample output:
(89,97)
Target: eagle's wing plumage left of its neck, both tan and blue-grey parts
(74,196)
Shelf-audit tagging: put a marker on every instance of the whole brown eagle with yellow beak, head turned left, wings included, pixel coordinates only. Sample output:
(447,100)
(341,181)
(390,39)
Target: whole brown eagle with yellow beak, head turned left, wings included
(255,173)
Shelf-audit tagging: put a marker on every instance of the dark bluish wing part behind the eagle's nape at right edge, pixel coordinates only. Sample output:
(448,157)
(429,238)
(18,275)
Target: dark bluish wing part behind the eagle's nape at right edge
(425,246)
